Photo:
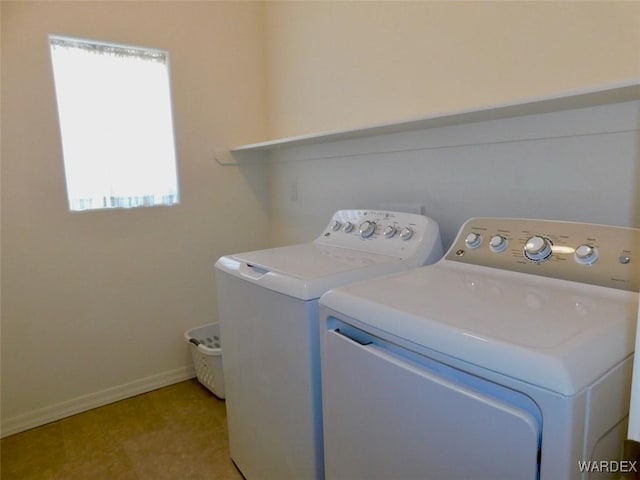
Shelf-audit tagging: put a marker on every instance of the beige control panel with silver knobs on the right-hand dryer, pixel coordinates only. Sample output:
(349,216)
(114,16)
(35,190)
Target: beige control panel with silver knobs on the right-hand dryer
(595,254)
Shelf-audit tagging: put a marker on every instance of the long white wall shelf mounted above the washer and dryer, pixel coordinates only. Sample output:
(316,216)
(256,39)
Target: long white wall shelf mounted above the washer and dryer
(622,92)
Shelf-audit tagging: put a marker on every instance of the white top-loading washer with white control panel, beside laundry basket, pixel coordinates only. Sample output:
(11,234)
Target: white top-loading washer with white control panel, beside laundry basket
(268,313)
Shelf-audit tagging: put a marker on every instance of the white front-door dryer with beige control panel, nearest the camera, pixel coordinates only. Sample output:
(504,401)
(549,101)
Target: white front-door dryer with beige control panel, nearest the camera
(511,358)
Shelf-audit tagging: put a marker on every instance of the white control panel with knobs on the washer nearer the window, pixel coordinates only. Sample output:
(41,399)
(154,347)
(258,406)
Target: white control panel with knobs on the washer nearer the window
(396,234)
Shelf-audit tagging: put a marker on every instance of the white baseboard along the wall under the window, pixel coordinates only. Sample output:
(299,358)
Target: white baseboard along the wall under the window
(41,416)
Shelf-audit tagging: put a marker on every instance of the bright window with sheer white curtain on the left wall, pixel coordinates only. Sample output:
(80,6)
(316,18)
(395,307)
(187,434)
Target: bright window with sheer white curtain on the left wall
(114,107)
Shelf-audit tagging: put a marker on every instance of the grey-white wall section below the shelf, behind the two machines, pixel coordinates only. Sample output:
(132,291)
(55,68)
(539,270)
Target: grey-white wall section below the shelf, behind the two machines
(576,165)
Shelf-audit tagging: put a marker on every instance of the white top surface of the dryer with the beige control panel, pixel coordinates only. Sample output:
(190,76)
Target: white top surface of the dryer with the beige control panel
(556,334)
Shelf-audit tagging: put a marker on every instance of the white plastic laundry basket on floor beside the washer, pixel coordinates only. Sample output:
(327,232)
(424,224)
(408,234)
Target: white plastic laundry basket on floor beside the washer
(206,351)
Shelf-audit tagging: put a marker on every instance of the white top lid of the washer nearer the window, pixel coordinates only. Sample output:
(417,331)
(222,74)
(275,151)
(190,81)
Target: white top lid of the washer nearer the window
(306,271)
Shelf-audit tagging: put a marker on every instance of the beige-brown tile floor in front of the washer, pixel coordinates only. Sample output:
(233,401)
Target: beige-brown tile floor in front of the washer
(174,433)
